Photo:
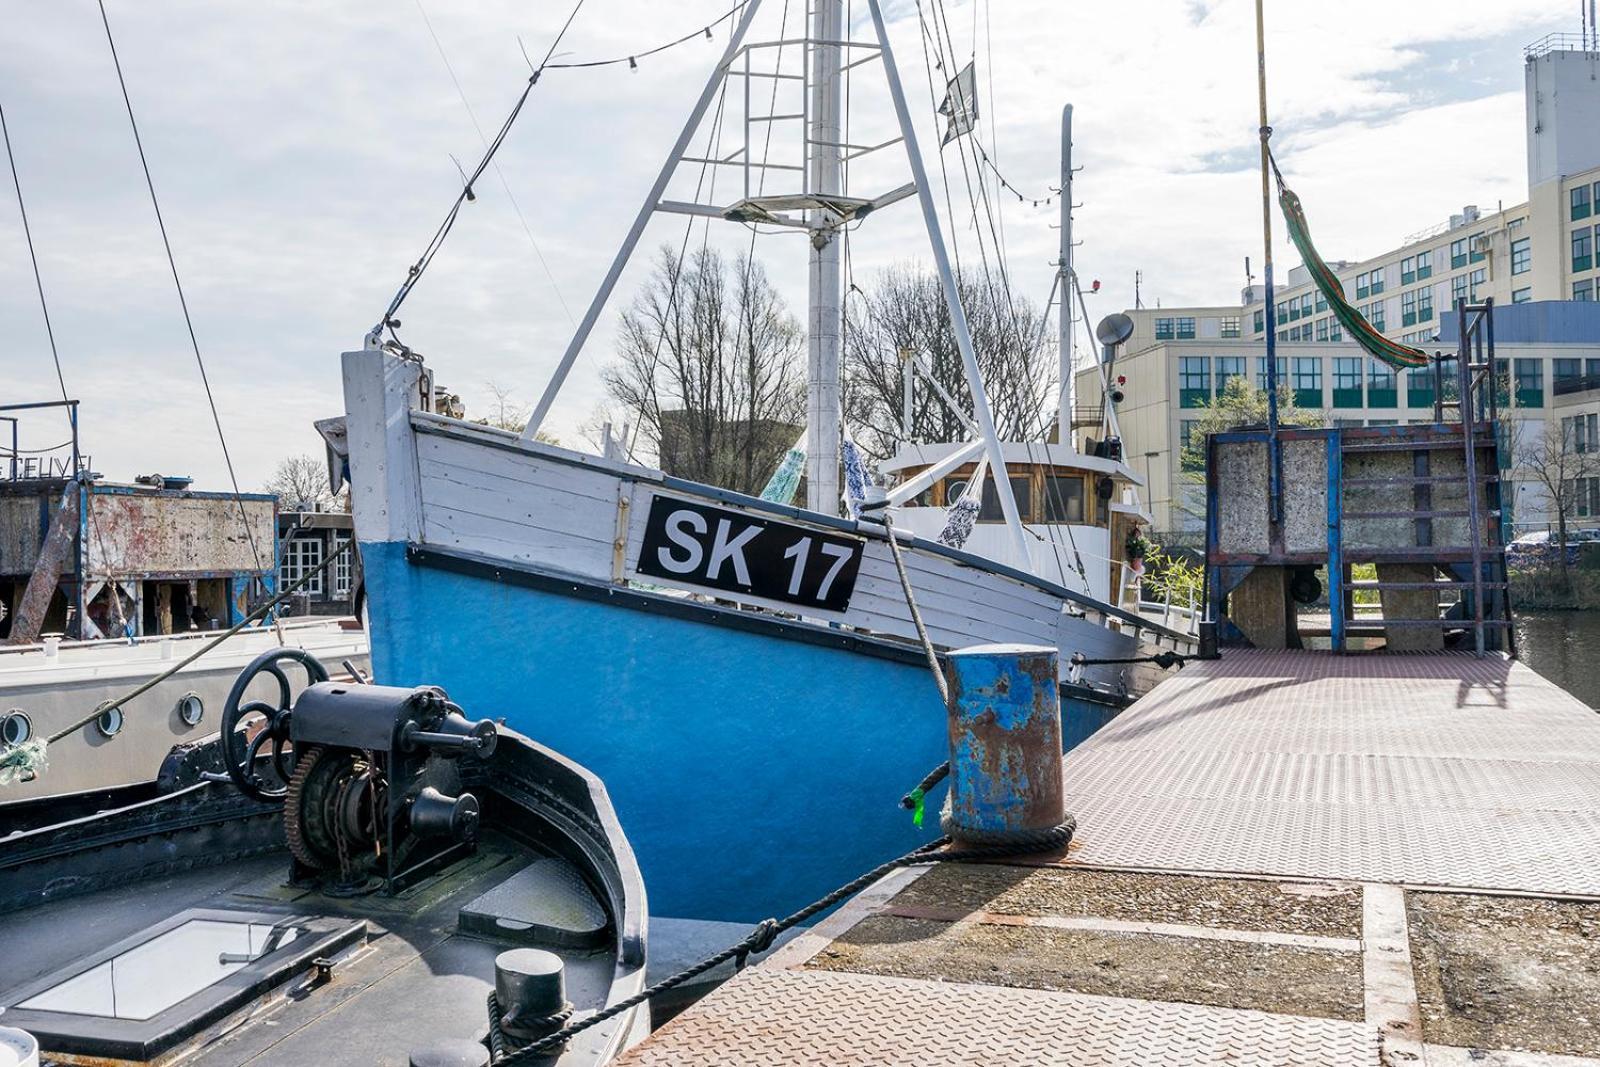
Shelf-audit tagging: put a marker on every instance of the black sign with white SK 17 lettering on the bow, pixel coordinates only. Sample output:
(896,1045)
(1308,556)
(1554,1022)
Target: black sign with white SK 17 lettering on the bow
(718,548)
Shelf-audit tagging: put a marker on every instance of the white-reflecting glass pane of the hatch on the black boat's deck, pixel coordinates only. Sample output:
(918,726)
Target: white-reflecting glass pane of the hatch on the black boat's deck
(150,978)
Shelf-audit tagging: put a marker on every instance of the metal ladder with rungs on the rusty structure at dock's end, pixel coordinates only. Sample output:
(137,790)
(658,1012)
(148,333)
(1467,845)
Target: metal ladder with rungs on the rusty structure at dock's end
(1478,410)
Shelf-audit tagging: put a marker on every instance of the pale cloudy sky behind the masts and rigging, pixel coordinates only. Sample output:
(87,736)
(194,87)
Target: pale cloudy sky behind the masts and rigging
(305,153)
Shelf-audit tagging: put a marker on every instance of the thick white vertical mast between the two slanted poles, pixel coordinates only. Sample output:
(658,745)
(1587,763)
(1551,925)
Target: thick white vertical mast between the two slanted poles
(825,177)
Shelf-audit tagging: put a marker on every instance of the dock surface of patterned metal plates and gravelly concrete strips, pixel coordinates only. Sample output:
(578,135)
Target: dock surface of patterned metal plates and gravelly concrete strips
(1282,860)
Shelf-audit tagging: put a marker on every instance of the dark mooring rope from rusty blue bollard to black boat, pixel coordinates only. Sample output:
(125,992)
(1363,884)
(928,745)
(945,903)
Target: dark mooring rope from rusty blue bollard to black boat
(766,933)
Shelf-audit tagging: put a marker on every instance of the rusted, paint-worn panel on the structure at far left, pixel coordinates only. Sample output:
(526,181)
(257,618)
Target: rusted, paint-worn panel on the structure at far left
(137,533)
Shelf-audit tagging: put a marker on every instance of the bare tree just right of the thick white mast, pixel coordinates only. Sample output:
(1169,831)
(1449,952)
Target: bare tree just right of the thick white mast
(905,310)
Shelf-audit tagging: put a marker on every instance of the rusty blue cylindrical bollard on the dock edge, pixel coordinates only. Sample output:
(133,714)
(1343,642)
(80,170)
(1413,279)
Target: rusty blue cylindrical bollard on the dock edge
(1006,745)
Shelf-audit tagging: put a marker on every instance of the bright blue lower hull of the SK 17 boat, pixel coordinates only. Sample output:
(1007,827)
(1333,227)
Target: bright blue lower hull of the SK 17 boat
(754,767)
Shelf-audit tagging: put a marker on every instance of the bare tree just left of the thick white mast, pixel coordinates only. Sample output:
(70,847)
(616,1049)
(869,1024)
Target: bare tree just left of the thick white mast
(710,370)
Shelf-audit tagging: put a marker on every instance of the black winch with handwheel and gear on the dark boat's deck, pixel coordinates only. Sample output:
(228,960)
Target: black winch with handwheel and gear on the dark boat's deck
(369,773)
